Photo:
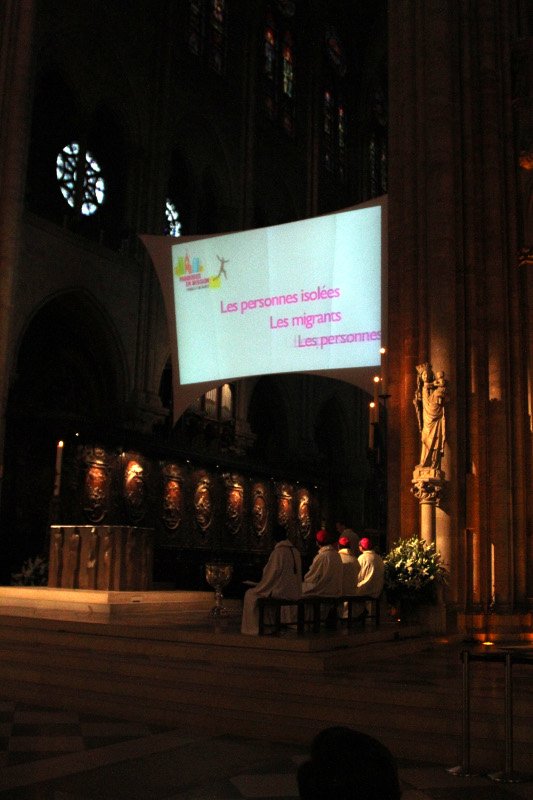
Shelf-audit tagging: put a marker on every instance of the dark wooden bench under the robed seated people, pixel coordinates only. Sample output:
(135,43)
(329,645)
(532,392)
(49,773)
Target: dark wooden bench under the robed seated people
(309,611)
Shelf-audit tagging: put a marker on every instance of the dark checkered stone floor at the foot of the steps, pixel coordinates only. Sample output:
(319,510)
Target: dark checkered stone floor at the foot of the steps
(55,755)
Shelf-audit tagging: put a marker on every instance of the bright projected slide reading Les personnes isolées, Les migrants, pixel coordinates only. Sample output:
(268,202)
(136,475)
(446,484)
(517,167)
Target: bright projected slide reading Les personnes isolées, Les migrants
(304,296)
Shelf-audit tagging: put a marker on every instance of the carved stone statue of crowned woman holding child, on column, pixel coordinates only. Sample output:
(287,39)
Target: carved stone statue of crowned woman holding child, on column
(430,398)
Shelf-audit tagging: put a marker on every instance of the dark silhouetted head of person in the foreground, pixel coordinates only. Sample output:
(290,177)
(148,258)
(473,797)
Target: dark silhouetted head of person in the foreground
(348,765)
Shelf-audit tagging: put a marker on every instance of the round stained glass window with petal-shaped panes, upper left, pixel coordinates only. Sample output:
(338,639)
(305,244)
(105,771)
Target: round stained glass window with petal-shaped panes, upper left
(80,179)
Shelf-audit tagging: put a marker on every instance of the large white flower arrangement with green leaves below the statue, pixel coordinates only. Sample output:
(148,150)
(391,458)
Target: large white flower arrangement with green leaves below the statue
(413,570)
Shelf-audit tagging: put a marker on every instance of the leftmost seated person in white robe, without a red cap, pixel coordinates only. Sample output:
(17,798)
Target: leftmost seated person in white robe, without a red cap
(282,577)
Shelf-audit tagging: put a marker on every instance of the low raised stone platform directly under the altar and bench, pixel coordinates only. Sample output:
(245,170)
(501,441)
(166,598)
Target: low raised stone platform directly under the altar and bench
(184,617)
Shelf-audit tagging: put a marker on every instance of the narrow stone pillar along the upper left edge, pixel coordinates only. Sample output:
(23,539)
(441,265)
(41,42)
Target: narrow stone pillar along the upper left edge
(16,33)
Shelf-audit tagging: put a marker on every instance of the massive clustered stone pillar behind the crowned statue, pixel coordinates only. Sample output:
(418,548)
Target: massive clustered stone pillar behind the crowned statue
(454,279)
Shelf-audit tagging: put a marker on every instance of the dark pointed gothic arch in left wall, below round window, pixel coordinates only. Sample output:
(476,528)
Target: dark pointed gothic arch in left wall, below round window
(68,377)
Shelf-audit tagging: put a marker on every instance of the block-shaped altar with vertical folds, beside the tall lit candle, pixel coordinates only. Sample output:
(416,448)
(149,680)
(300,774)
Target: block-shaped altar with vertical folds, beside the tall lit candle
(112,557)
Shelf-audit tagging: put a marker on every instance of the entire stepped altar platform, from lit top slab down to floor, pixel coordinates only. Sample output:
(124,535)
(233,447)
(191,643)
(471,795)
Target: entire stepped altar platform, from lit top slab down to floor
(162,660)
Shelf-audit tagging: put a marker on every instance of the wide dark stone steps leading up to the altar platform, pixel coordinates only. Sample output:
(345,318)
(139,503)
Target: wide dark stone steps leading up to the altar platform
(260,689)
